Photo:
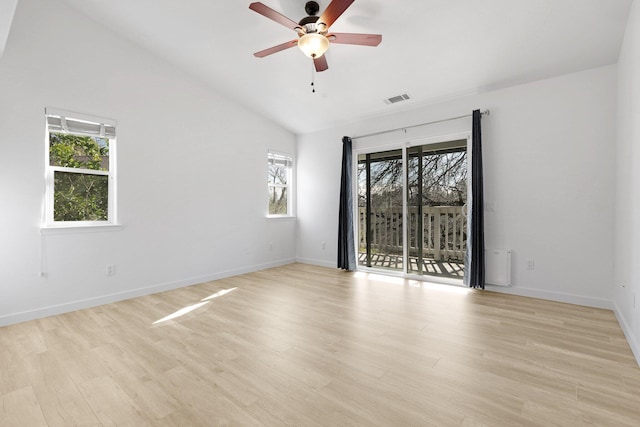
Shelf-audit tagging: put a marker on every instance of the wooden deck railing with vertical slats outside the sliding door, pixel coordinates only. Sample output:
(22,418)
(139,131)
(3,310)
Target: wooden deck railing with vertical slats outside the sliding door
(444,231)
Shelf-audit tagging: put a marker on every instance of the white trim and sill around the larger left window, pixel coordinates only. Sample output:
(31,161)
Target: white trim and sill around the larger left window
(49,225)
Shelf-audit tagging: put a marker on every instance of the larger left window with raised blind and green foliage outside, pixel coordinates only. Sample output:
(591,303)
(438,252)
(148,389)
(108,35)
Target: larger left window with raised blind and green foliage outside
(80,170)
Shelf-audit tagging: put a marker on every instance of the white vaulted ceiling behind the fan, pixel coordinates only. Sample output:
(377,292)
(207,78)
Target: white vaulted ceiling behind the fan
(431,49)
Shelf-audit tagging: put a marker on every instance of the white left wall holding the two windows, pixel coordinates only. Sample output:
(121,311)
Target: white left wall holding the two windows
(191,166)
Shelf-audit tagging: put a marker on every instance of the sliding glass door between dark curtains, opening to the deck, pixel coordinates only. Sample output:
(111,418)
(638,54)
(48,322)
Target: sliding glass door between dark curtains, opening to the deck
(412,209)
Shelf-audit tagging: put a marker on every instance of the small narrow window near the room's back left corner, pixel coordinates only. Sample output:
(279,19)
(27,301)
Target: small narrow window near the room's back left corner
(279,184)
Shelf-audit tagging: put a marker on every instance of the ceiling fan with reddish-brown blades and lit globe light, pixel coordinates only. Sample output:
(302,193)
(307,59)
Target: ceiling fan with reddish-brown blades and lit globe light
(313,31)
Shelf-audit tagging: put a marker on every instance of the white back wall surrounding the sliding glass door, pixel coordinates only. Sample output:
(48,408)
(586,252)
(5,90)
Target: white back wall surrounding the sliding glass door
(549,171)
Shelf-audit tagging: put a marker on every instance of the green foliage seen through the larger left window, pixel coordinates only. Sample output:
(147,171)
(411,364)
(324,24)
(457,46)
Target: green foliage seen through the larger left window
(79,196)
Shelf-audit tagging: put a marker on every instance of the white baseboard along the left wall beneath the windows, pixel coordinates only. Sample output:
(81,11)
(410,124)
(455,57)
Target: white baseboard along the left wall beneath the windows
(52,310)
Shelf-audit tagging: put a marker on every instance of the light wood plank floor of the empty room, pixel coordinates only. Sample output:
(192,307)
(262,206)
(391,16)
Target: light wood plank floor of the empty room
(303,345)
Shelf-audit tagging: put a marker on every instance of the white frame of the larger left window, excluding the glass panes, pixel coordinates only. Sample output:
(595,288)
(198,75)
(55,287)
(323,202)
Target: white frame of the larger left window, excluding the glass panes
(49,221)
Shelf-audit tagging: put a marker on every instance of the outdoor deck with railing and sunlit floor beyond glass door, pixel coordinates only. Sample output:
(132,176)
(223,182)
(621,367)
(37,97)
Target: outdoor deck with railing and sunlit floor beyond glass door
(436,242)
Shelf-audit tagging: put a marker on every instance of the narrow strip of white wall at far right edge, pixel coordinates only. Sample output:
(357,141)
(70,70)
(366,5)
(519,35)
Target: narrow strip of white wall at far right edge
(627,224)
